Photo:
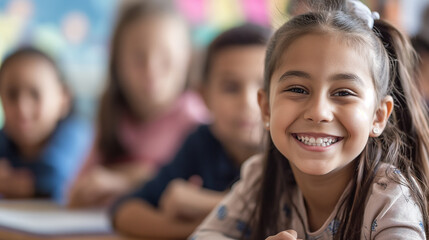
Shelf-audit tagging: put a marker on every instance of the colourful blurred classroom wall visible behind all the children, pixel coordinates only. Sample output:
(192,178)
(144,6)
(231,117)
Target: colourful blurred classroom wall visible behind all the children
(77,32)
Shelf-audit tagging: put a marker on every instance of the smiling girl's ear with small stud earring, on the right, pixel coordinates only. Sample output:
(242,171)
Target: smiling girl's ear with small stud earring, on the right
(381,116)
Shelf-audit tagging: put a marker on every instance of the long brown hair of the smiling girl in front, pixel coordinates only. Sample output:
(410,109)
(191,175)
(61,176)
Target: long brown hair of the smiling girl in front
(404,143)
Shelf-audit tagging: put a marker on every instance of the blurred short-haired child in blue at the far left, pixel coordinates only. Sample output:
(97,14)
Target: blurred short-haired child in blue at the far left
(41,144)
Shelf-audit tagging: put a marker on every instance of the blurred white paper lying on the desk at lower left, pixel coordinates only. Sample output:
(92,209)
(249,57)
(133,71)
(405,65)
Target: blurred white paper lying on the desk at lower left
(47,218)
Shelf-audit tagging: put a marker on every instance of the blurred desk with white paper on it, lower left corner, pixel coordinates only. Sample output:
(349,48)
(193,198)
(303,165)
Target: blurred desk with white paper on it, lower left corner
(41,219)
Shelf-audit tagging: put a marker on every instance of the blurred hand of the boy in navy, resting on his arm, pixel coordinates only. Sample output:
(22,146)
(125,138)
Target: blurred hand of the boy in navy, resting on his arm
(178,199)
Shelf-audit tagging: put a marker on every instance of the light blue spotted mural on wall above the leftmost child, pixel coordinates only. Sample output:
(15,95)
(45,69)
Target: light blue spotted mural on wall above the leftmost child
(74,32)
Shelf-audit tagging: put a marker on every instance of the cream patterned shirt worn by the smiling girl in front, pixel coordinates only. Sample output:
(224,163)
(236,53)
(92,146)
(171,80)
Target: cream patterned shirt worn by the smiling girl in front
(390,212)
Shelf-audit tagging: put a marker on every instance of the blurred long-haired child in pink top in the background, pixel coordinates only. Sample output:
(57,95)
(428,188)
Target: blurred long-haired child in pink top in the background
(145,114)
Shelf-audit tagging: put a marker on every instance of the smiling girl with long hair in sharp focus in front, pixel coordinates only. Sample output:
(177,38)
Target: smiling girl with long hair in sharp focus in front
(347,153)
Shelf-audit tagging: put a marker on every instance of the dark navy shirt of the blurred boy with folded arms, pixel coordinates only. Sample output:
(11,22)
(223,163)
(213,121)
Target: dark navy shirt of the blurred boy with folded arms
(201,155)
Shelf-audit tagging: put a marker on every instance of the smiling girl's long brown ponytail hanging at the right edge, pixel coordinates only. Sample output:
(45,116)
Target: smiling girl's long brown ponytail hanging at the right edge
(410,114)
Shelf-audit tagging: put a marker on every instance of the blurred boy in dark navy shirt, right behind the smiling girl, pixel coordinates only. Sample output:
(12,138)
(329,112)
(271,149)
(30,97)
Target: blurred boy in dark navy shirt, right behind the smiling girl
(186,190)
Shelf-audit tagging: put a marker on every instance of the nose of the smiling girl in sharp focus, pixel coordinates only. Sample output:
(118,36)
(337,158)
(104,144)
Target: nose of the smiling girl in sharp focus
(319,110)
